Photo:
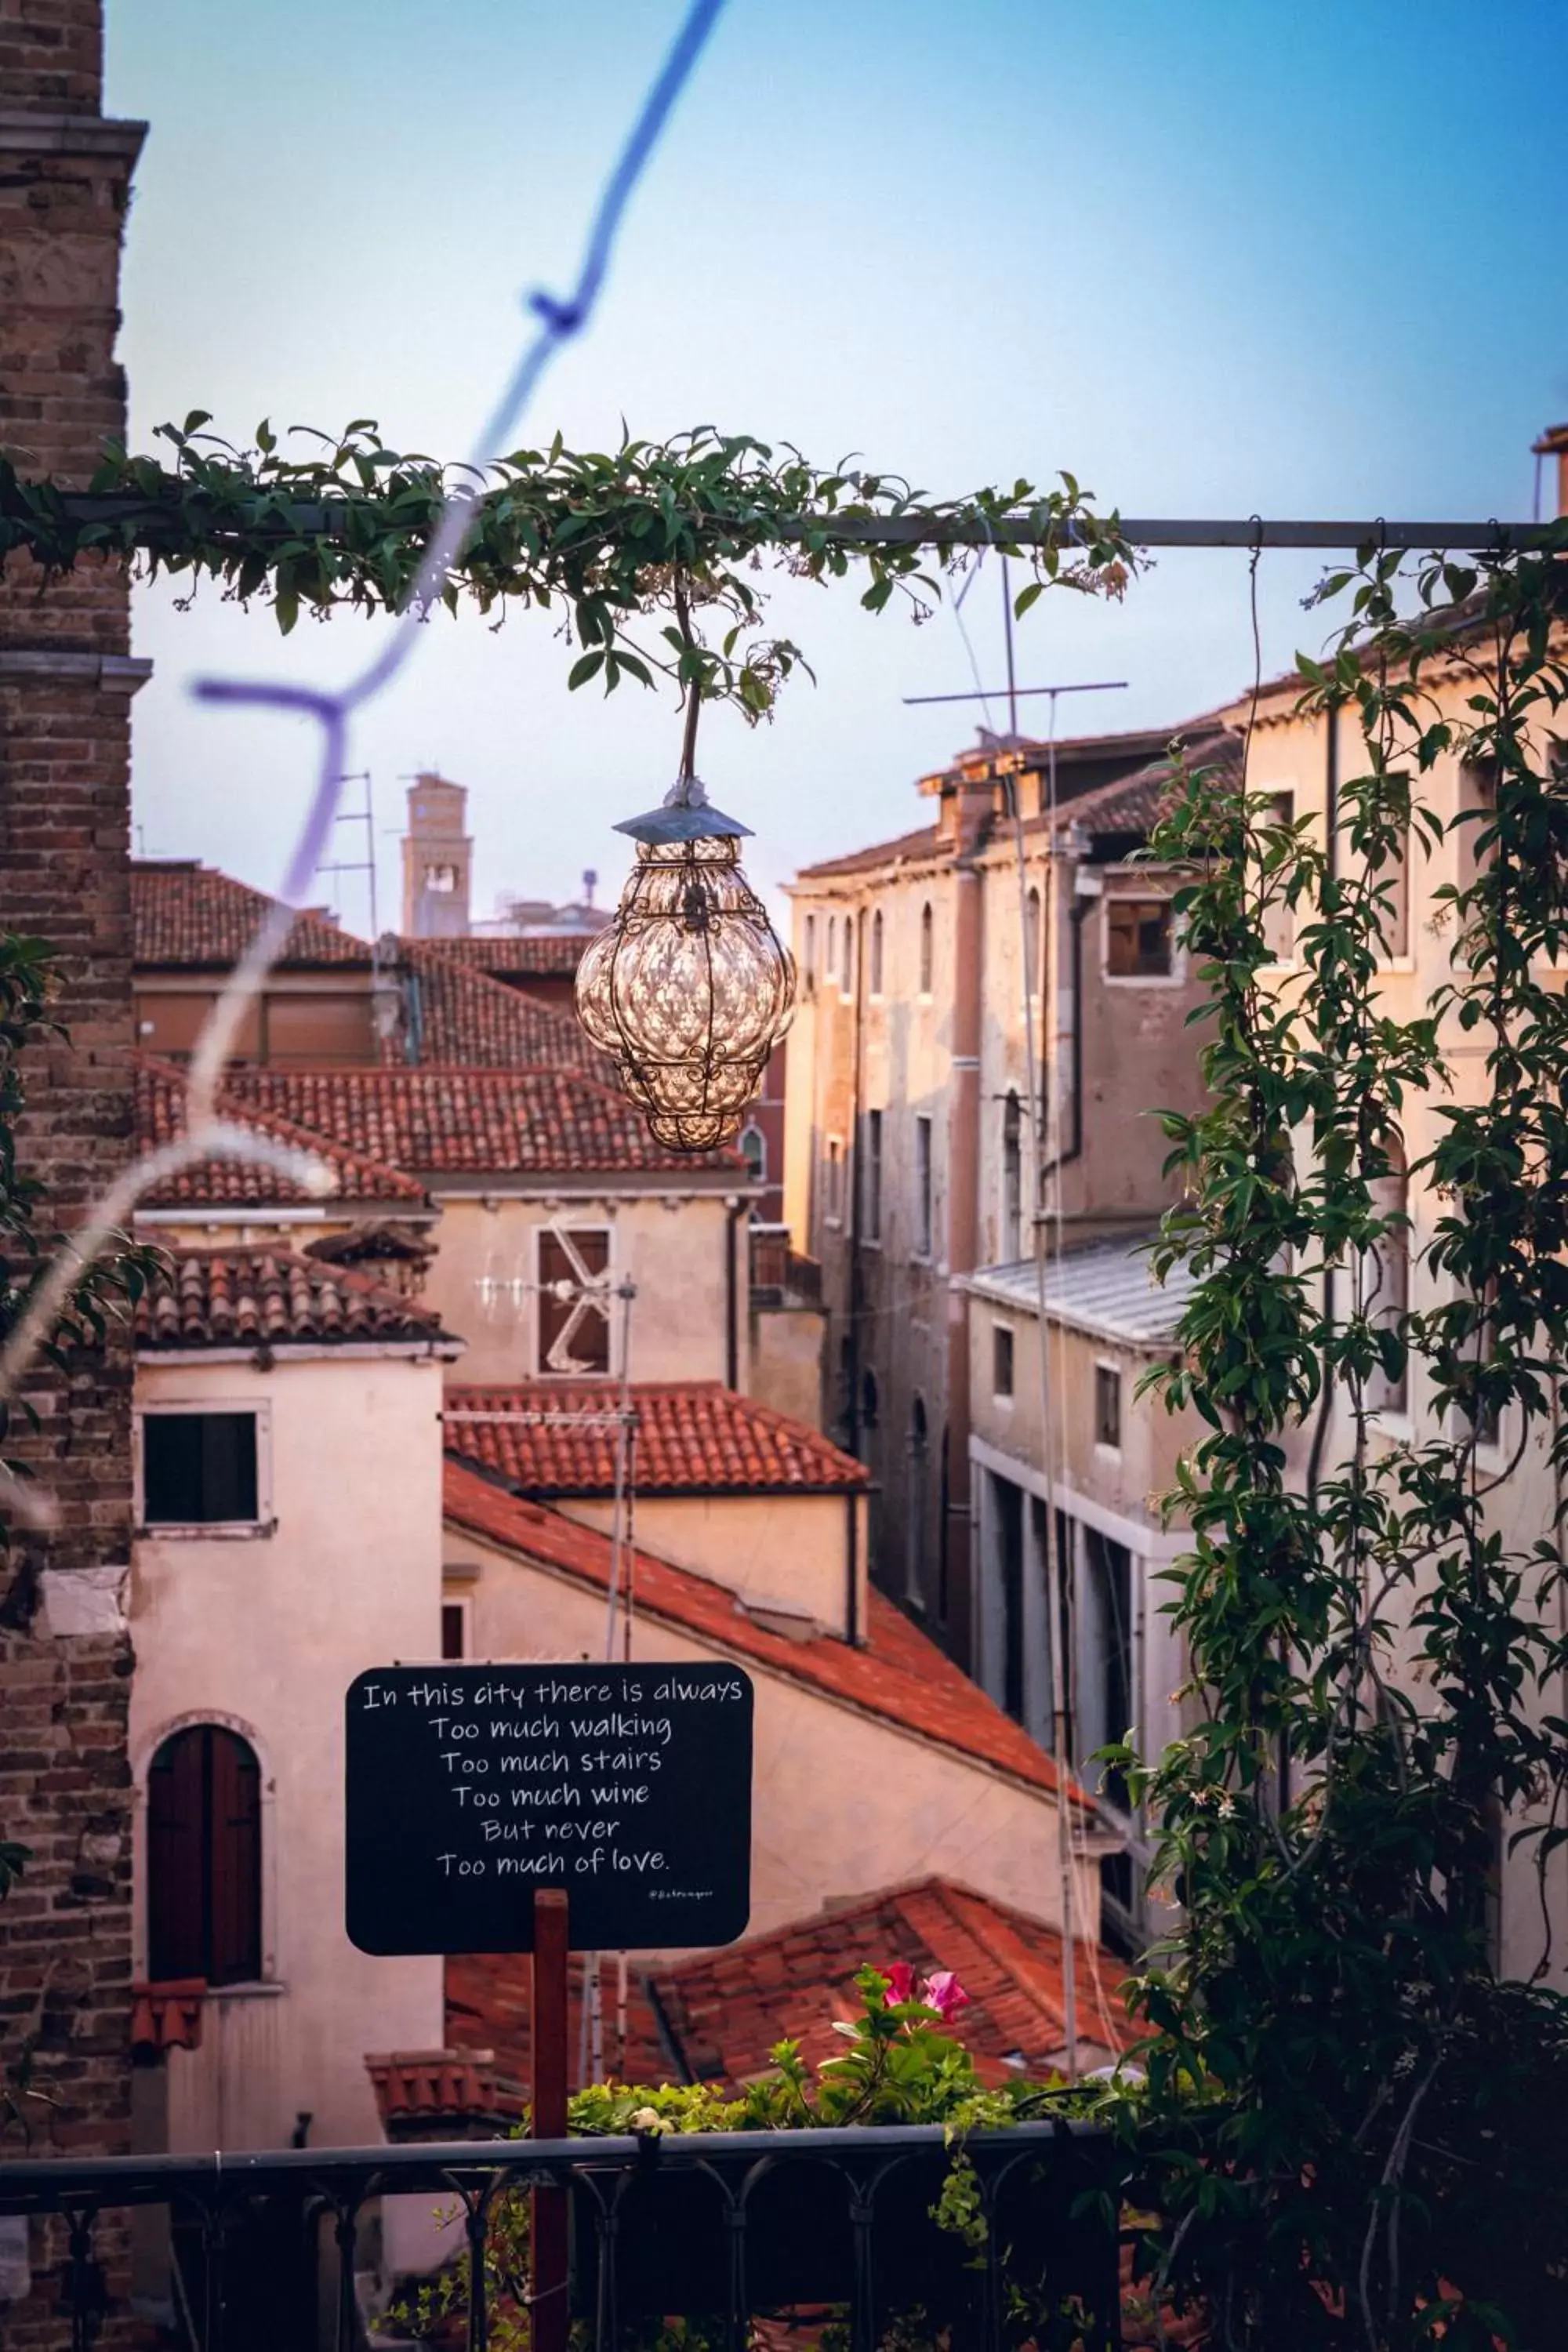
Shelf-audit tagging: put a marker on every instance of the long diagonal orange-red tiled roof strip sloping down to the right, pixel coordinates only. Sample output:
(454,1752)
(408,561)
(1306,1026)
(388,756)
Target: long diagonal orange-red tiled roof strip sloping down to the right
(899,1676)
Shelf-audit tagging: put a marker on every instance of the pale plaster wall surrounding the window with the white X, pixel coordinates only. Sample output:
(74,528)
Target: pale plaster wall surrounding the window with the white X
(671,1245)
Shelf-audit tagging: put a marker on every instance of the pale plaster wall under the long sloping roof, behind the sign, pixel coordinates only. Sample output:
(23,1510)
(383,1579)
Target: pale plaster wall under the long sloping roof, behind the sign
(845,1803)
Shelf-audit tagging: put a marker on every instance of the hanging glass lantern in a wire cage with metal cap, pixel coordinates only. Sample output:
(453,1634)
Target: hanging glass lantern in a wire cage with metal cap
(688,987)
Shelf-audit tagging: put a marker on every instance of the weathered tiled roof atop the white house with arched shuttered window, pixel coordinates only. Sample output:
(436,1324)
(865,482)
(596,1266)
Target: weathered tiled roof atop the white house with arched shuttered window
(272,1299)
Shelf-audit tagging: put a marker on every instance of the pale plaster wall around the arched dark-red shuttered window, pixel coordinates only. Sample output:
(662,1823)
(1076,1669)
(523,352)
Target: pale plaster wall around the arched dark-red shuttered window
(264,1633)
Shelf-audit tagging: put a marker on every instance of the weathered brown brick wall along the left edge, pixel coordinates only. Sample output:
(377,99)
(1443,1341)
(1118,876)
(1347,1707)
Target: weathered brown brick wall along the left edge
(65,874)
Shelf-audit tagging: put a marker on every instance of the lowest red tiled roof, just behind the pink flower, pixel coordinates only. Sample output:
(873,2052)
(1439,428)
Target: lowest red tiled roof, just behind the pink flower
(728,2010)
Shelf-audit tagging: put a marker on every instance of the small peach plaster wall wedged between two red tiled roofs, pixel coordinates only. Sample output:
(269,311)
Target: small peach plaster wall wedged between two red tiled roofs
(789,1549)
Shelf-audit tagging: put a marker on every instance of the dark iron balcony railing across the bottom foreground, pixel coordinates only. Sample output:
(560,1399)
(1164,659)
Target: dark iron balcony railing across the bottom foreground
(730,2231)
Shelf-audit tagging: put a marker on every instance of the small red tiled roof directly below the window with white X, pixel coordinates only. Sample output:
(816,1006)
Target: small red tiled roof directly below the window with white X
(692,1438)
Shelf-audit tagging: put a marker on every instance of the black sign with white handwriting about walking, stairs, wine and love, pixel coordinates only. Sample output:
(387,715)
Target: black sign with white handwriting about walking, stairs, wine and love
(474,1786)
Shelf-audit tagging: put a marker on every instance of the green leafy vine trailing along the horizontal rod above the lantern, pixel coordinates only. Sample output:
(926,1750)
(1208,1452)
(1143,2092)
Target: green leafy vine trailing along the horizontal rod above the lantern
(311,523)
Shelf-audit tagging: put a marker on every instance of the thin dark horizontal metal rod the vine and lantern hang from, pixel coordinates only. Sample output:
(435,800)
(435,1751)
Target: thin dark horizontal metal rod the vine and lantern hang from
(927,530)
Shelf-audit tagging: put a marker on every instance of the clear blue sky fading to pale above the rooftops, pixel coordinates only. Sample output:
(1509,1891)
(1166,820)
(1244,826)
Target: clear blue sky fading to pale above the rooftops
(1212,255)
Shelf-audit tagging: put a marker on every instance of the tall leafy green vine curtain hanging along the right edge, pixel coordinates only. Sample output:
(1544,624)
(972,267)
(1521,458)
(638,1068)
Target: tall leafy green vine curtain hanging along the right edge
(1365,2120)
